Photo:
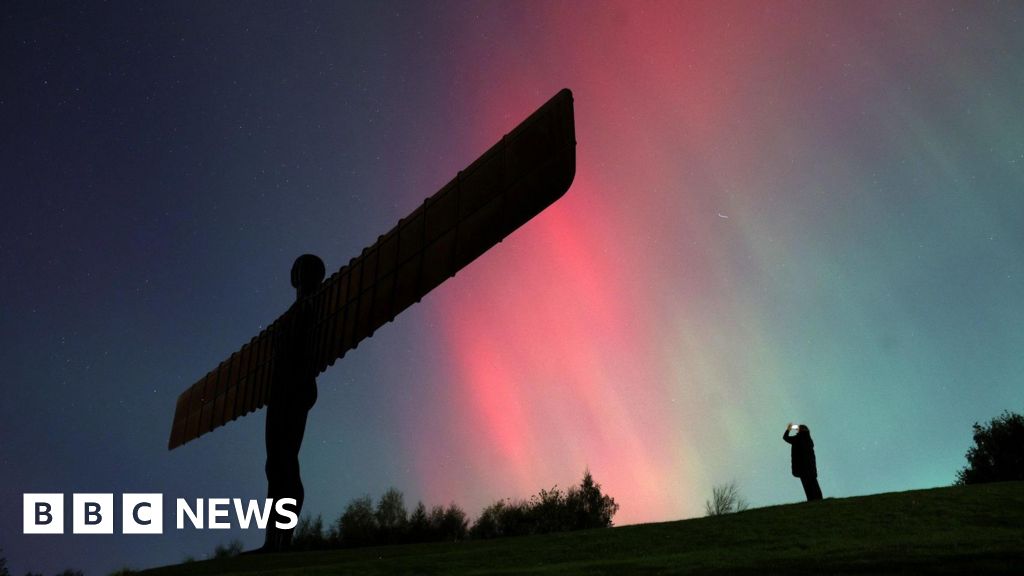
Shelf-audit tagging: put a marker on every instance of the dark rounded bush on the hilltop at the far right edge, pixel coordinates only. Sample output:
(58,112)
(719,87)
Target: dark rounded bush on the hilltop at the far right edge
(998,454)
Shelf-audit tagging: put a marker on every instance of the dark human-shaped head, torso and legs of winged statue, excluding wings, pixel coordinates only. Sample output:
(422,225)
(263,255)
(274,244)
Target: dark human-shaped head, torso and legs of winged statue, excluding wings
(293,393)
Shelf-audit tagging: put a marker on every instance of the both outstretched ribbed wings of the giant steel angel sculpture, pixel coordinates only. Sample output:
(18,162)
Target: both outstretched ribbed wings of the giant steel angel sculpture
(519,178)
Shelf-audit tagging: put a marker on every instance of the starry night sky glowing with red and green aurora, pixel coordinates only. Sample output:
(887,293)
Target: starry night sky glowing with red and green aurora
(782,212)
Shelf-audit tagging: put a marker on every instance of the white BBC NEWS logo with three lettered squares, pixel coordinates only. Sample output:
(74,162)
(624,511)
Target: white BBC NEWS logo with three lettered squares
(144,514)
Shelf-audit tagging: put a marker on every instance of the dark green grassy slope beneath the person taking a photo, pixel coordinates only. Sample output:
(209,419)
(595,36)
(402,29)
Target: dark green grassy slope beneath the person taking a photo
(962,530)
